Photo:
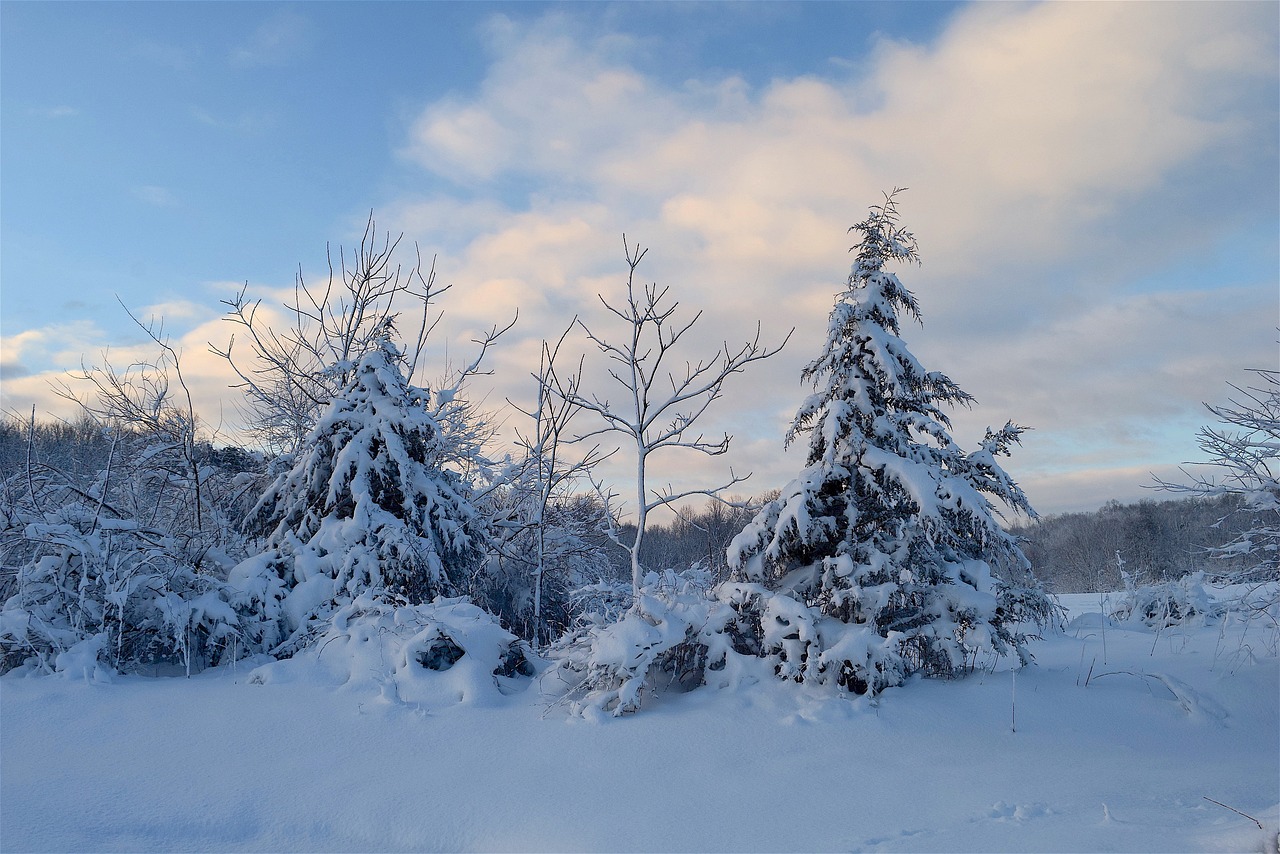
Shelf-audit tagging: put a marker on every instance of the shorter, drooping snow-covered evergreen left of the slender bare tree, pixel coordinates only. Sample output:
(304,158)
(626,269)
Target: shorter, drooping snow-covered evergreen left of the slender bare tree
(367,506)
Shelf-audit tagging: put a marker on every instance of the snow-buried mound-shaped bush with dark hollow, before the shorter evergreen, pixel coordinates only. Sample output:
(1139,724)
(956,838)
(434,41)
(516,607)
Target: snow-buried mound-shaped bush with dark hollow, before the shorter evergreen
(435,655)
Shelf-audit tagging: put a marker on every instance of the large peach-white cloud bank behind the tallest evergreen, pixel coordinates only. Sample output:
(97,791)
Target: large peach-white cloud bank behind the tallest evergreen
(1036,139)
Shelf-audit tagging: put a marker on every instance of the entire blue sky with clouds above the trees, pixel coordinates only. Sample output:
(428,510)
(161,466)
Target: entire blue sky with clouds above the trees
(1094,186)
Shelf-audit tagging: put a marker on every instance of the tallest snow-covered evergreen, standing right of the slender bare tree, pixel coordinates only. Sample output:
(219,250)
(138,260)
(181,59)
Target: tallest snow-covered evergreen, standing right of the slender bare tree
(888,540)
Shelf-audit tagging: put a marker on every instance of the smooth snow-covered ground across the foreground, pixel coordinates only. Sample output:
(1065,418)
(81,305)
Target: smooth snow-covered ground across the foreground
(1122,737)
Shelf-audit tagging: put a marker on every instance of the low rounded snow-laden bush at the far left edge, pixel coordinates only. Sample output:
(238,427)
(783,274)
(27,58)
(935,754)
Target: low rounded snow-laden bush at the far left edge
(107,595)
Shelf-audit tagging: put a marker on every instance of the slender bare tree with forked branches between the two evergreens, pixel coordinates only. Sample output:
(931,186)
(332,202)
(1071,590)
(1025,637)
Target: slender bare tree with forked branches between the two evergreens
(660,407)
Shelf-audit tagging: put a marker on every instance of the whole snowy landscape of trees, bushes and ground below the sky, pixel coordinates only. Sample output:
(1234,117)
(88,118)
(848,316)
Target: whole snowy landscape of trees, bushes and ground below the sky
(386,637)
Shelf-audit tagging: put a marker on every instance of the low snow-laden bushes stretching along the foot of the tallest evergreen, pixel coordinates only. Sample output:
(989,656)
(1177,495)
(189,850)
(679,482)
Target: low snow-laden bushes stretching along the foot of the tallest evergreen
(683,633)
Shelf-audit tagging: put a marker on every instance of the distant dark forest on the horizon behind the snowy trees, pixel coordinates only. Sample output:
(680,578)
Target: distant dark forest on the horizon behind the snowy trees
(1071,552)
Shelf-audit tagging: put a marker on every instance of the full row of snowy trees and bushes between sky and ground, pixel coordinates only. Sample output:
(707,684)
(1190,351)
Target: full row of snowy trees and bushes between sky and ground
(129,537)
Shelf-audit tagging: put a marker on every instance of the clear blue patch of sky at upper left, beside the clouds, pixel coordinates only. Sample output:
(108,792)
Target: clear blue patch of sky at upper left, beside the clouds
(141,136)
